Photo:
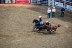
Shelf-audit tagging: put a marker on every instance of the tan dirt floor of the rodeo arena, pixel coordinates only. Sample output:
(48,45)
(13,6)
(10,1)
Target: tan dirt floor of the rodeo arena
(16,27)
